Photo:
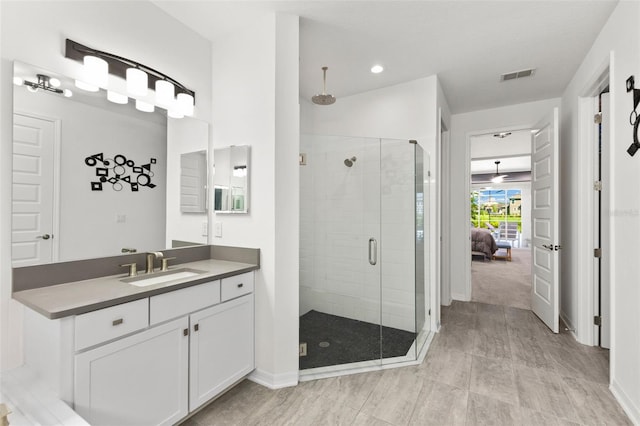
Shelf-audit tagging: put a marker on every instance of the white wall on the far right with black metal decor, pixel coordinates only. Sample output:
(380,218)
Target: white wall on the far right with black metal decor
(620,41)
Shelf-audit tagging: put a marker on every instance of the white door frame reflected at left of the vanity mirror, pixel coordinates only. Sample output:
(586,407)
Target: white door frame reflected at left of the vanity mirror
(57,137)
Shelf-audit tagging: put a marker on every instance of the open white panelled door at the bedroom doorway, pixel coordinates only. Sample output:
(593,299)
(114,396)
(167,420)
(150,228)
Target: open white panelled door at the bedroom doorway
(545,236)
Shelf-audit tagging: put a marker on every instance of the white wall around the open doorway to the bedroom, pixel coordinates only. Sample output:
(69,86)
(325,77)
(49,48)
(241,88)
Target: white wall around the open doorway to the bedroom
(520,116)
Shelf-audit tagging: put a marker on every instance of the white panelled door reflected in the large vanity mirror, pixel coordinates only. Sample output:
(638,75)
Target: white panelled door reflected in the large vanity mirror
(33,215)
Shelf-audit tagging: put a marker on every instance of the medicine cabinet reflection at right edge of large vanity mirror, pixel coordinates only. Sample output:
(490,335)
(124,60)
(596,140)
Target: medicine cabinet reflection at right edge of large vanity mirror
(193,182)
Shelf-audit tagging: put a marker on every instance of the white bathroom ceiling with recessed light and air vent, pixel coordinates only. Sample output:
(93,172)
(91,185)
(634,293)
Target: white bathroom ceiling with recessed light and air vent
(468,44)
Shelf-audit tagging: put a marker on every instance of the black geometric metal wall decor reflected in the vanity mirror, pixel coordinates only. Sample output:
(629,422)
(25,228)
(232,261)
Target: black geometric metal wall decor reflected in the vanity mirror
(118,171)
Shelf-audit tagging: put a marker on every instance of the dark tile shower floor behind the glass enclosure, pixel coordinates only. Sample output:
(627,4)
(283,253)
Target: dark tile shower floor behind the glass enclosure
(349,340)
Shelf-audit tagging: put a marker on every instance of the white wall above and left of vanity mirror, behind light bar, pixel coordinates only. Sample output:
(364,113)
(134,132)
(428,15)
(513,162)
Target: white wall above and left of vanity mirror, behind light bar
(34,32)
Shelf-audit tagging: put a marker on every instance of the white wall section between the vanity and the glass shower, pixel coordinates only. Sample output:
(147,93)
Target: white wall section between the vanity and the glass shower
(255,89)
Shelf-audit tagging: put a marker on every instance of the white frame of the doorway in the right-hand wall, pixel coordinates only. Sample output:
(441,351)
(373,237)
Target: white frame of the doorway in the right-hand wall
(585,330)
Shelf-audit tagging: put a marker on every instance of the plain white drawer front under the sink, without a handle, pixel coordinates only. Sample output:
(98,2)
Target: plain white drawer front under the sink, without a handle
(174,304)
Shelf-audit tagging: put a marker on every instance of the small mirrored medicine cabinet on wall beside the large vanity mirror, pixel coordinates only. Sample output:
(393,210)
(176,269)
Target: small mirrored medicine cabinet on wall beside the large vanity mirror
(231,179)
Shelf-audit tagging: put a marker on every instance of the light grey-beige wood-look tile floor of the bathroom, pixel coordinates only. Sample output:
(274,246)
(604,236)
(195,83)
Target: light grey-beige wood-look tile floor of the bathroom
(490,364)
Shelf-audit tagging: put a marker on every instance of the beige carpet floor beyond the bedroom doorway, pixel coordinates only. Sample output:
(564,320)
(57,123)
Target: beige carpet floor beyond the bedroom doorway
(501,282)
